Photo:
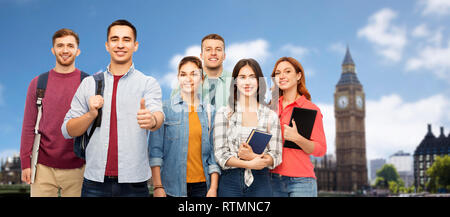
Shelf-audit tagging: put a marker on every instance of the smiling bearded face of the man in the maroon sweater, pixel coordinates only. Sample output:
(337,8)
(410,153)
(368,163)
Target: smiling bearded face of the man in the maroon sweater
(65,50)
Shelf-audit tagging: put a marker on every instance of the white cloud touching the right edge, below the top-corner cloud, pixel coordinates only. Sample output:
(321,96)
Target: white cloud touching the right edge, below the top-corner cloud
(432,58)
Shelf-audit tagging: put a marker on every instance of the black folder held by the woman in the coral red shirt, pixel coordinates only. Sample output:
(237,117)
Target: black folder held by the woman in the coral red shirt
(304,119)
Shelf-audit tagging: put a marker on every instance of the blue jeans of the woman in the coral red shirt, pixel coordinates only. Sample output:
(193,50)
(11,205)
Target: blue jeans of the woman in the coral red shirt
(285,186)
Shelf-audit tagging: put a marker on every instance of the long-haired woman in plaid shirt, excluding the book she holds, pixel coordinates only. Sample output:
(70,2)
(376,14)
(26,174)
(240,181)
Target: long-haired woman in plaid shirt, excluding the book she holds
(244,173)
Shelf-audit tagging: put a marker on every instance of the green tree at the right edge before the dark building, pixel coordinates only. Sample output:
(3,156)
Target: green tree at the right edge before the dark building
(439,174)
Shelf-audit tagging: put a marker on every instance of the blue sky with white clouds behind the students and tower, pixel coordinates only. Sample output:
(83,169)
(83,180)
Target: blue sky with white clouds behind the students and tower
(401,50)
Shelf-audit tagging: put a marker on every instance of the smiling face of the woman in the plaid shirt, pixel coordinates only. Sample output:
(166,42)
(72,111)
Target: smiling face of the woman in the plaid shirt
(247,81)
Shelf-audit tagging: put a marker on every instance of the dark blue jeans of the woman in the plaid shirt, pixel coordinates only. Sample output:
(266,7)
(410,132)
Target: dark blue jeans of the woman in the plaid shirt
(231,184)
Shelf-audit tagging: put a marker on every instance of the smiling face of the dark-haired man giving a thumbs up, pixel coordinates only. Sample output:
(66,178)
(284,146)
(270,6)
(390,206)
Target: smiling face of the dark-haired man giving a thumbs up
(121,44)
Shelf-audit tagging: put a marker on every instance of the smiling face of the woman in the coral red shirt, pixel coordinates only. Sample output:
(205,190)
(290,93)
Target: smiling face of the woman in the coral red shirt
(286,77)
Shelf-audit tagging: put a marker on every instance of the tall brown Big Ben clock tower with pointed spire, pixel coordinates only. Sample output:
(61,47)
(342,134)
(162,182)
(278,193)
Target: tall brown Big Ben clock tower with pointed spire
(349,111)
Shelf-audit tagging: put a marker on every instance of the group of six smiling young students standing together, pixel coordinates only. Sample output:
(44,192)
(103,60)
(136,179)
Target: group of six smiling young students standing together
(196,146)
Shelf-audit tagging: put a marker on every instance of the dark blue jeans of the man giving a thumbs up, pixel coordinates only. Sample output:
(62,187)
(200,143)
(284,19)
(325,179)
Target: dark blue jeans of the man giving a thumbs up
(111,188)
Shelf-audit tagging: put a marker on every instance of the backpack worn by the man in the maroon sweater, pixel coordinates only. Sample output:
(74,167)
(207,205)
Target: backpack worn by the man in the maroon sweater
(40,94)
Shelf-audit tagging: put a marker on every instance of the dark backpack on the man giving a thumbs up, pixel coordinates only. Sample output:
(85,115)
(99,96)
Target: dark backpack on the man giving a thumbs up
(80,143)
